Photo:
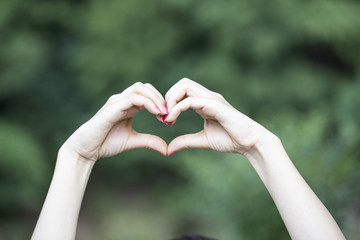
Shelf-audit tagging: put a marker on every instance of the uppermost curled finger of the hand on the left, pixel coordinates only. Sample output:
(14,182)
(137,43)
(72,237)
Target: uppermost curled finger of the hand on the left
(146,91)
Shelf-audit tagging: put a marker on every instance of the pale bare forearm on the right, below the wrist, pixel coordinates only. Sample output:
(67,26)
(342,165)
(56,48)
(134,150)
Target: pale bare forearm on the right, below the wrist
(302,212)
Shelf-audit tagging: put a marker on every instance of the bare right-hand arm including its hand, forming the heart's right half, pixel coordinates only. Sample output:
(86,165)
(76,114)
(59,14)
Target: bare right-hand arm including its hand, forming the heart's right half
(228,130)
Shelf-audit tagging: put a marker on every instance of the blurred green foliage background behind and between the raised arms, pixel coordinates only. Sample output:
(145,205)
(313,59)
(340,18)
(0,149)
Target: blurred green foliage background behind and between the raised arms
(293,66)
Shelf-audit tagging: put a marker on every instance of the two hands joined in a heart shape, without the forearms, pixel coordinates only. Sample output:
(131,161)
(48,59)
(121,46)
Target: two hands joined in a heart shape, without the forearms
(110,131)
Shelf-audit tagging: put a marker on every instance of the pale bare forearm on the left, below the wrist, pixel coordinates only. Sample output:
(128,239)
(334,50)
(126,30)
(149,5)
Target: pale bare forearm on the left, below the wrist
(59,215)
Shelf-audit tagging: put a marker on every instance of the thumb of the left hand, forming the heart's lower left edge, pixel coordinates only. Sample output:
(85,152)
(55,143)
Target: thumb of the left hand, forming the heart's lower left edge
(141,140)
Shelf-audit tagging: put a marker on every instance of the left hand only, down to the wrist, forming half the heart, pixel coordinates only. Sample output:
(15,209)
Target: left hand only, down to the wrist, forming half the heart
(110,131)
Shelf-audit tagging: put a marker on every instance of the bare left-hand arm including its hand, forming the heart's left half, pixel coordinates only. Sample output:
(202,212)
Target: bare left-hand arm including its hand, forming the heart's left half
(108,133)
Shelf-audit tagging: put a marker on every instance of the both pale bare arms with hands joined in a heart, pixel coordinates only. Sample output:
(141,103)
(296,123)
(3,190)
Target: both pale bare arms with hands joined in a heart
(226,129)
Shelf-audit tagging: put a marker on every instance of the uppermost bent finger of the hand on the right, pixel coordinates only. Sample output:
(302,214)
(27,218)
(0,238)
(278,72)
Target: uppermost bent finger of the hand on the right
(182,89)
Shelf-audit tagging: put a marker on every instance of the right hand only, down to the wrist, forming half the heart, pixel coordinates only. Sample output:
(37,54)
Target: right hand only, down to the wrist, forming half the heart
(225,128)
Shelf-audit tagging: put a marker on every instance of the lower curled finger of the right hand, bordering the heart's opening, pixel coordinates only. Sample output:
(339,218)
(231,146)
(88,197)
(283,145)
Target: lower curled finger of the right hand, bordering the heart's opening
(207,108)
